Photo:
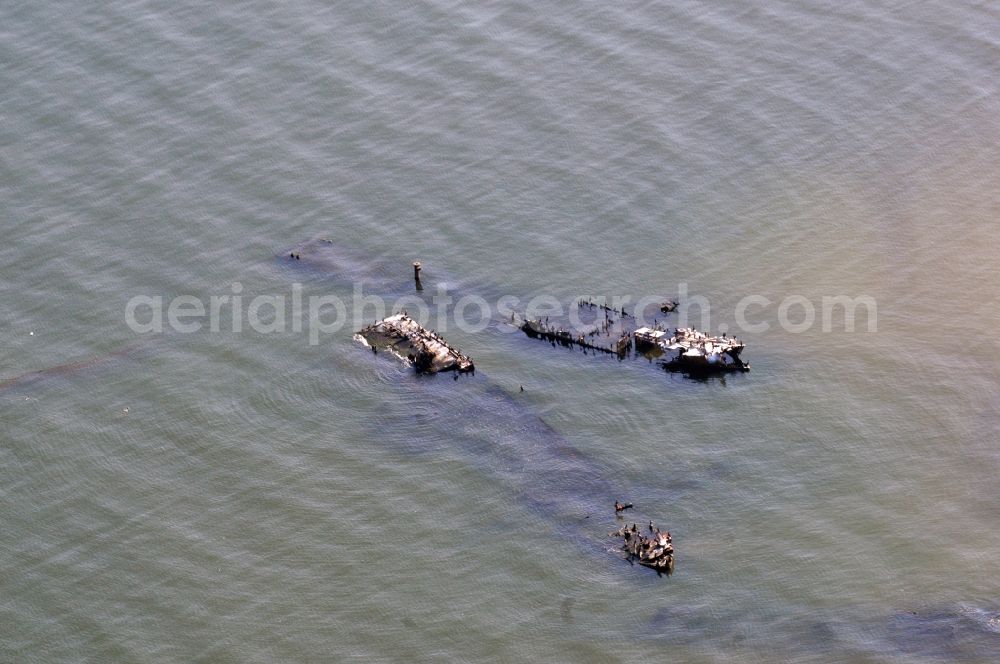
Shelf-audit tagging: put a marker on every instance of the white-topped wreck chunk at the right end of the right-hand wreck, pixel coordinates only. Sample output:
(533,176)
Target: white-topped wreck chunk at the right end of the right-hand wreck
(696,351)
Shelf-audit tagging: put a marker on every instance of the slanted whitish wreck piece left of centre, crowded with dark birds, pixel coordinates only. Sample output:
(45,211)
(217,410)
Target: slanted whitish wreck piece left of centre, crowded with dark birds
(407,339)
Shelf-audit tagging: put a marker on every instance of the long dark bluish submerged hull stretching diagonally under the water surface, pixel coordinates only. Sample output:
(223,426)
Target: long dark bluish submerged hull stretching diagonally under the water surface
(500,433)
